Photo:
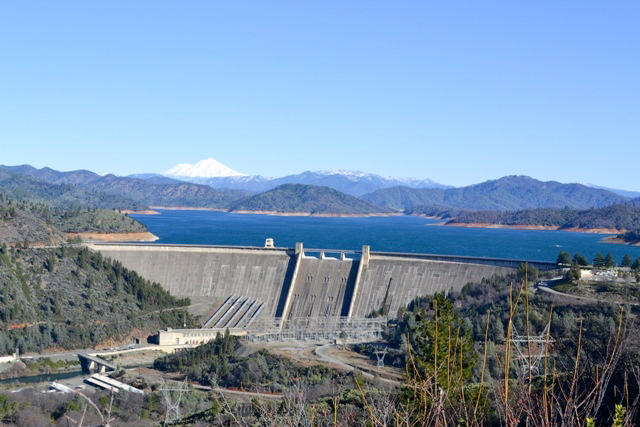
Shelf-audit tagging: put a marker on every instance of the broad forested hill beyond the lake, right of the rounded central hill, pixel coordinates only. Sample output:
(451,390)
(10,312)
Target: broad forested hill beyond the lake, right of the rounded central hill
(505,194)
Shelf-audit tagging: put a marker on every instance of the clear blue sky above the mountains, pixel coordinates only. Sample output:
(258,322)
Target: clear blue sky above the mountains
(456,91)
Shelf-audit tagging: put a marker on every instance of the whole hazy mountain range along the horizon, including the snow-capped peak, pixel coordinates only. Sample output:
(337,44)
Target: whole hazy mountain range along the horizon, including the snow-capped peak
(304,194)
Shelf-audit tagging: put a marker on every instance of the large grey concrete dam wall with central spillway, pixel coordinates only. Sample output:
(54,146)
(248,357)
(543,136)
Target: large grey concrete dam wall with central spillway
(240,284)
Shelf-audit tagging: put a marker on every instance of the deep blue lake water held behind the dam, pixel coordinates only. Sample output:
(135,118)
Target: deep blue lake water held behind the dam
(392,234)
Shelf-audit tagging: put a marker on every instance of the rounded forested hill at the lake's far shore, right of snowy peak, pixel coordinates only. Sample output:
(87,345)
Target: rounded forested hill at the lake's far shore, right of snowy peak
(308,199)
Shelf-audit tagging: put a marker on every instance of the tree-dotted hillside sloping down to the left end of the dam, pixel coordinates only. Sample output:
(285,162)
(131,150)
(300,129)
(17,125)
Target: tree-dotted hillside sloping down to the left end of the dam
(71,298)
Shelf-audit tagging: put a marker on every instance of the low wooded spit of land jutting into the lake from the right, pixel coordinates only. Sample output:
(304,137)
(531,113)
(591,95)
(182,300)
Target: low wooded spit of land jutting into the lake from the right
(619,217)
